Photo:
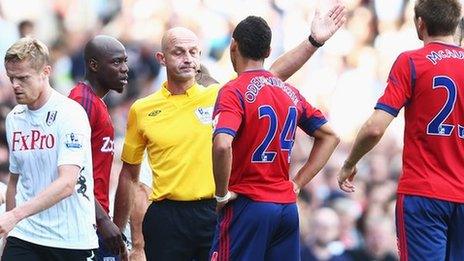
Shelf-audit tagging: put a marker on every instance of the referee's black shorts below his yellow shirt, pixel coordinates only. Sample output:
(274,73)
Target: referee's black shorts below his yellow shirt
(179,230)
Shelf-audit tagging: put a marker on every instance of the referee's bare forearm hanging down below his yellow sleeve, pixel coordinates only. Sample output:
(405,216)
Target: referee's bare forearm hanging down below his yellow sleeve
(128,179)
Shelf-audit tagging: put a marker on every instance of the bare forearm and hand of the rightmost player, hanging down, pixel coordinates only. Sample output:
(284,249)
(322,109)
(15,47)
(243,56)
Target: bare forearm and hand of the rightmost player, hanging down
(368,136)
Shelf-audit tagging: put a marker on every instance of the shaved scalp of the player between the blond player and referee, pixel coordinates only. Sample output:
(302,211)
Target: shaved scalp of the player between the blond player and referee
(102,46)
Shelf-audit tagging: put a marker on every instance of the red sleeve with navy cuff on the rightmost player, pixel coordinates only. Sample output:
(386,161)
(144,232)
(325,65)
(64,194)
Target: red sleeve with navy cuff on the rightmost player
(399,86)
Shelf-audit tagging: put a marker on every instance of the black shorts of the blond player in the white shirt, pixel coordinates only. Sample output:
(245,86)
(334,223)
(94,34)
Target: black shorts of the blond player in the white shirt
(19,250)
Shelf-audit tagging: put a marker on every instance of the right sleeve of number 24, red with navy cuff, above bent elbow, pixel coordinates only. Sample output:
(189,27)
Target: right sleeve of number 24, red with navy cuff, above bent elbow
(311,118)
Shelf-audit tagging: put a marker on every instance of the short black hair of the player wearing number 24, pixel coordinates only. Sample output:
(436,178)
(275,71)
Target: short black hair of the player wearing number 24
(253,37)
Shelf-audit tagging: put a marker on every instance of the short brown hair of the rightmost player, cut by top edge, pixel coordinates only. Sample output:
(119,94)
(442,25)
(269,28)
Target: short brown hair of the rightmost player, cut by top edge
(440,16)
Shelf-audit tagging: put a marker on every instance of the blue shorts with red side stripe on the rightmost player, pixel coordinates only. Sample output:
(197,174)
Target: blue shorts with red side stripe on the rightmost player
(429,229)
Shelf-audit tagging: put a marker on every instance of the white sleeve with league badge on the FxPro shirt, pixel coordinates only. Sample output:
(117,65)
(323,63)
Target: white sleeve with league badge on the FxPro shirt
(73,139)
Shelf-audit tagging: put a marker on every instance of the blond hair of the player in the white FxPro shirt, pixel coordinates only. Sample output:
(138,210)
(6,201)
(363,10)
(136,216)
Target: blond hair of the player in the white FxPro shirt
(28,49)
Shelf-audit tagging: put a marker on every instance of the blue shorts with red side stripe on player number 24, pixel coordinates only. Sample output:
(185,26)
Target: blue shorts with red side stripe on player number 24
(251,230)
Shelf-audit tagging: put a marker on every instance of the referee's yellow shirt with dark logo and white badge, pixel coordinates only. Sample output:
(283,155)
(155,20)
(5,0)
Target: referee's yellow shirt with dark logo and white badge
(176,130)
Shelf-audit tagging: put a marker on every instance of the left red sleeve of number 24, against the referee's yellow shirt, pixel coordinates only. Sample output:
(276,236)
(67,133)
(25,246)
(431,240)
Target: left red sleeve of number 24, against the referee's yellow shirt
(228,111)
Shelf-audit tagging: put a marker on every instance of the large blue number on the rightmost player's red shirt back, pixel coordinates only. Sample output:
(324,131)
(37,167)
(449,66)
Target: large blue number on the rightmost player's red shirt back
(437,126)
